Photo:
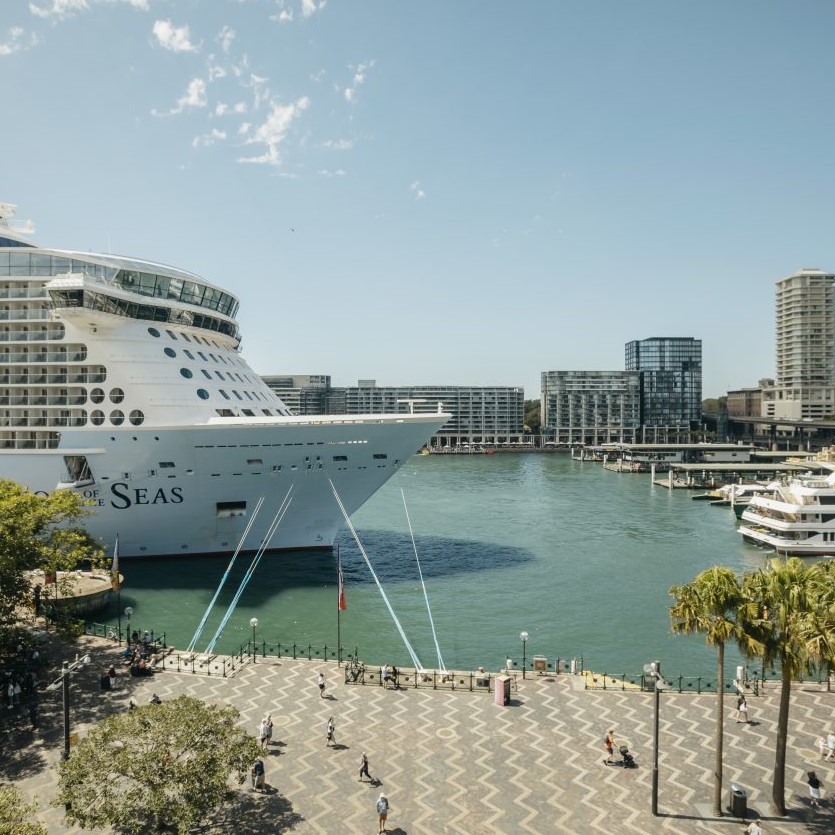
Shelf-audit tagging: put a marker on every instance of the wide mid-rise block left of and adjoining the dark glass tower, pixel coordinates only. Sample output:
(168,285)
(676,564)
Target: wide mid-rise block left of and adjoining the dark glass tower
(591,407)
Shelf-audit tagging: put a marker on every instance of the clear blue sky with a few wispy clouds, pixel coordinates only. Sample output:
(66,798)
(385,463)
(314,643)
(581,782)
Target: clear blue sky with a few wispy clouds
(439,192)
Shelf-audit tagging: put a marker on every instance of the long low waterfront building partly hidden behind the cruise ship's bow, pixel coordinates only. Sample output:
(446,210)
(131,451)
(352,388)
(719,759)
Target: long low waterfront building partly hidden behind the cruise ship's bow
(489,415)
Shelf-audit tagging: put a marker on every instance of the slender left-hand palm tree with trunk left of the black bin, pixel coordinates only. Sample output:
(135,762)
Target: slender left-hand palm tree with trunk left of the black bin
(708,605)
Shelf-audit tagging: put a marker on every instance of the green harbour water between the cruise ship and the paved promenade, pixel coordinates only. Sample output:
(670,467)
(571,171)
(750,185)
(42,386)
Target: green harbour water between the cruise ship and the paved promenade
(578,557)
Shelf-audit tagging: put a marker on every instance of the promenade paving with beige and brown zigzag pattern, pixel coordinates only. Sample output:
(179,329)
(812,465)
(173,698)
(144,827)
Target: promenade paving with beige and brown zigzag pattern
(455,762)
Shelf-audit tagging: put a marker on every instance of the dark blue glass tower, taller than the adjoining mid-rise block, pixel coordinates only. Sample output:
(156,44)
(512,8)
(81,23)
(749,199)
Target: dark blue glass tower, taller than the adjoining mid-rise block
(671,380)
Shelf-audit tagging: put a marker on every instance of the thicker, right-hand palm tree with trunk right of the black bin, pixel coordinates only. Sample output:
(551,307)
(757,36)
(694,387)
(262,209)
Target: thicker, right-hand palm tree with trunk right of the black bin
(778,620)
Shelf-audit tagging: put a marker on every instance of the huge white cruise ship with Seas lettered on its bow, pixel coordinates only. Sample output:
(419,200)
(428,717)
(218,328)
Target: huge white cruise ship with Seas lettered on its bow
(122,380)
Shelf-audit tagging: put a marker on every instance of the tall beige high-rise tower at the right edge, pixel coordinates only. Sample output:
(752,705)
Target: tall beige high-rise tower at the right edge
(804,386)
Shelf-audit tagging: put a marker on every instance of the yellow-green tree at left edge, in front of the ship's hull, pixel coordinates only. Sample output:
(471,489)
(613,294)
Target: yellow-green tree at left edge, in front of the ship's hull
(37,533)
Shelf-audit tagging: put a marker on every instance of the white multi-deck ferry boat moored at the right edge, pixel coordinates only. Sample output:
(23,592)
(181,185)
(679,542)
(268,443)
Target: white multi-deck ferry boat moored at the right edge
(796,518)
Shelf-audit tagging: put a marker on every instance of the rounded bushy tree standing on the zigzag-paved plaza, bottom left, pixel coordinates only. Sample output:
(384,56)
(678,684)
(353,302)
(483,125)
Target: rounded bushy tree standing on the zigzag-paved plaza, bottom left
(157,765)
